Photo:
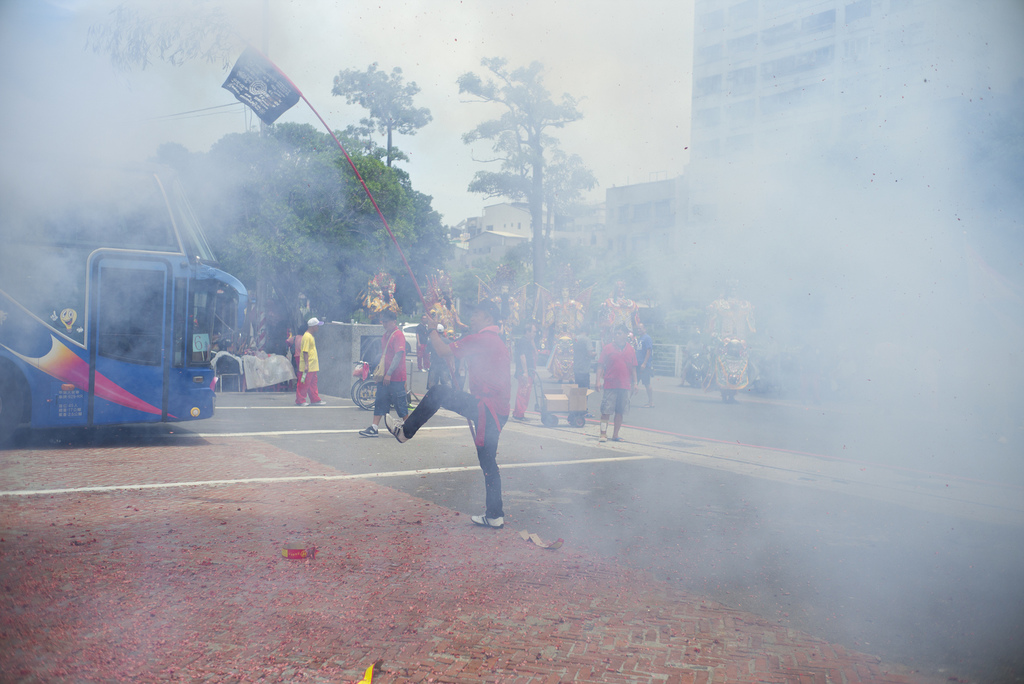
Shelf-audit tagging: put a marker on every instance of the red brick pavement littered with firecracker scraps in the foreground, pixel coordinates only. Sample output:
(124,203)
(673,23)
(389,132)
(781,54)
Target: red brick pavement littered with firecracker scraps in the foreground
(188,584)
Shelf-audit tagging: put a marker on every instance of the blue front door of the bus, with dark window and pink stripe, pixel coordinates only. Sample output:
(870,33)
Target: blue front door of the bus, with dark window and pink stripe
(130,346)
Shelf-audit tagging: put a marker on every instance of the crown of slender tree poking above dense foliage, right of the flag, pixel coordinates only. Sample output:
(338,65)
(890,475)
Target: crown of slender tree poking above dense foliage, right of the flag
(389,100)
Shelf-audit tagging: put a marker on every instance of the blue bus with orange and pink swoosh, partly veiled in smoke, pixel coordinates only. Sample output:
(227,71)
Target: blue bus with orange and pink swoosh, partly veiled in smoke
(112,306)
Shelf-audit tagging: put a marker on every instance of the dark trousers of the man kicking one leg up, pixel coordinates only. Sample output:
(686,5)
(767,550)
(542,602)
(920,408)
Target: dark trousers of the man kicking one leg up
(464,404)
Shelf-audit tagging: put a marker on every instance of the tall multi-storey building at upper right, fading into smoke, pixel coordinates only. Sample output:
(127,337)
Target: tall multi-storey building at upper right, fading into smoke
(772,76)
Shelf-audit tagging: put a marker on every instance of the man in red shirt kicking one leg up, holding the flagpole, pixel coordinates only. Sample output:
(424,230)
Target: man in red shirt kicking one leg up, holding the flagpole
(487,404)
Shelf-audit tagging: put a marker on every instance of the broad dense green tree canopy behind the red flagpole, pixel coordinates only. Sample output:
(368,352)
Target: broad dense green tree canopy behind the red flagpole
(286,208)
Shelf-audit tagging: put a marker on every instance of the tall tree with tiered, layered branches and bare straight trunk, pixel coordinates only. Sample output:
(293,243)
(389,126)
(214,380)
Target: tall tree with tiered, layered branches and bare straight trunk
(520,139)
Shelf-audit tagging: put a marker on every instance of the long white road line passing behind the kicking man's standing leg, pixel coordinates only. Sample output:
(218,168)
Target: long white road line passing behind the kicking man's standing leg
(305,479)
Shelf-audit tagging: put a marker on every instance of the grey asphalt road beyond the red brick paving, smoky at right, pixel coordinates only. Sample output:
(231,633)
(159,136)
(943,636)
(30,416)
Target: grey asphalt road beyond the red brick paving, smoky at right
(867,530)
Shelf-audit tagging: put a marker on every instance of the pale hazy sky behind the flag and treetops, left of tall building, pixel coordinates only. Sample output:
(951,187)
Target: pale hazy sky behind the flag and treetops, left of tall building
(634,82)
